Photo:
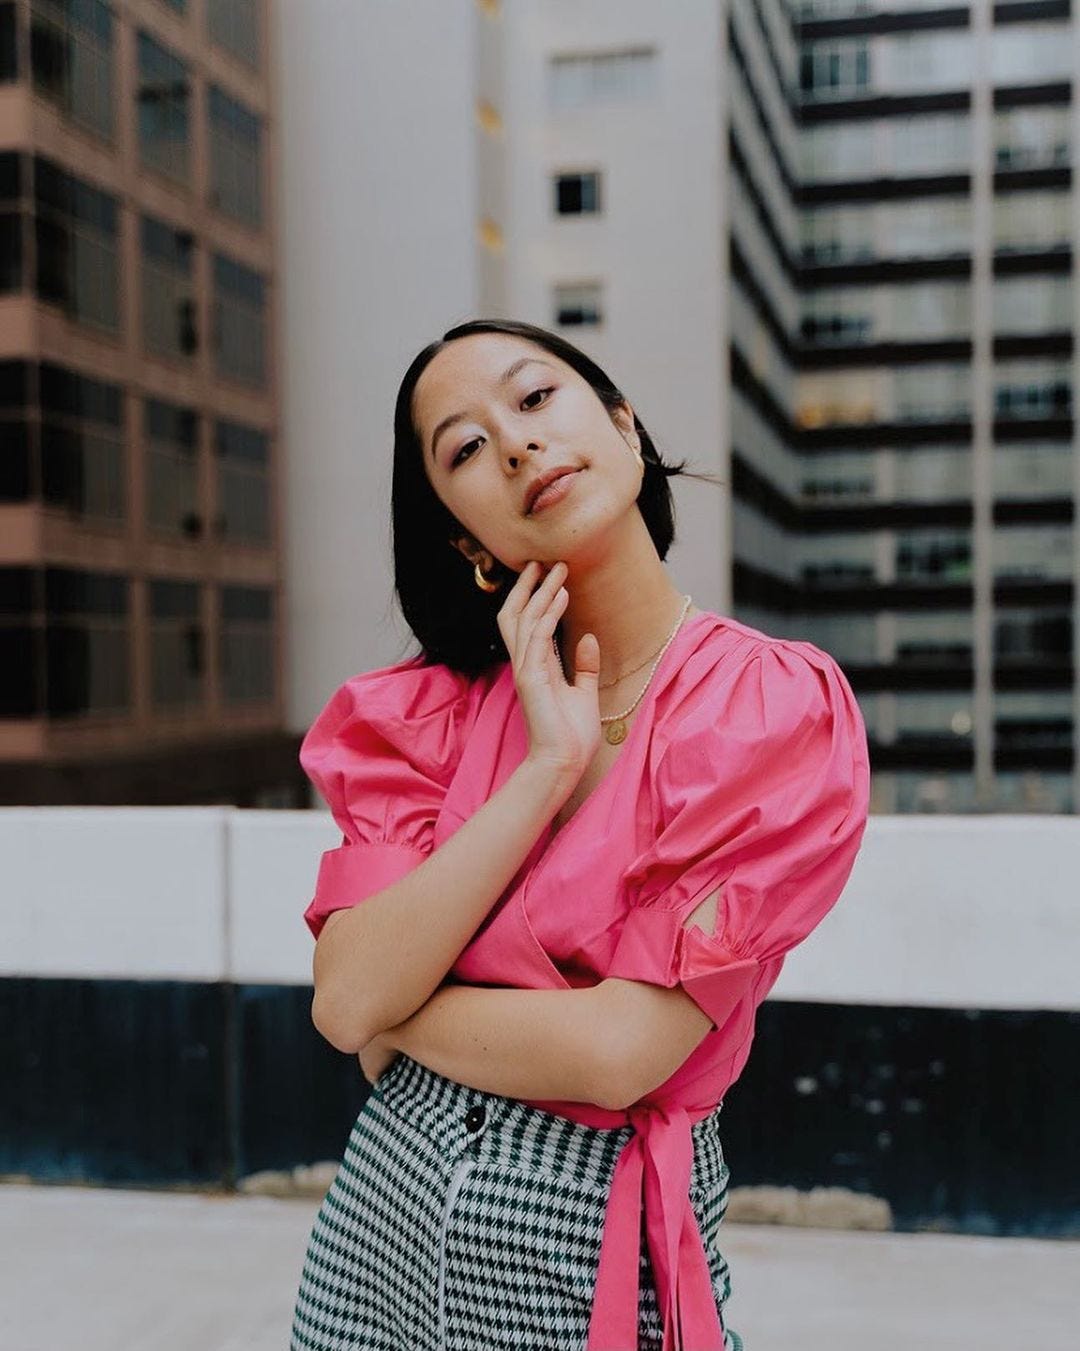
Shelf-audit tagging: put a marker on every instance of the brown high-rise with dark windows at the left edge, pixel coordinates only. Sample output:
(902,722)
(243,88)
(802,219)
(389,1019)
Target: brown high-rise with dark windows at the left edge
(140,545)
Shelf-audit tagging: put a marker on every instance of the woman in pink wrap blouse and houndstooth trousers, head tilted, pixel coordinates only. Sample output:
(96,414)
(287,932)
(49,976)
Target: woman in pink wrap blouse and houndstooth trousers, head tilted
(586,822)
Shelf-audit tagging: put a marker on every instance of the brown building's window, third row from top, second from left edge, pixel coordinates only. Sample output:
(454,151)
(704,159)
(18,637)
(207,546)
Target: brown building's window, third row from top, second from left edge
(82,445)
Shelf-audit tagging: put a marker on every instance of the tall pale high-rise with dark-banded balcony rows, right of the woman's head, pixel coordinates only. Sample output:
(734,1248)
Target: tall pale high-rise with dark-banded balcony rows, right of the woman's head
(833,245)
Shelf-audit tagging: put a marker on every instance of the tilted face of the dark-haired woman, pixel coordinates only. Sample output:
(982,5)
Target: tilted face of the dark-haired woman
(495,411)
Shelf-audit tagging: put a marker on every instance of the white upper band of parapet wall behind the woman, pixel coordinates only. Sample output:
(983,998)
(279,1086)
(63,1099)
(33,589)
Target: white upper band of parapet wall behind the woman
(940,911)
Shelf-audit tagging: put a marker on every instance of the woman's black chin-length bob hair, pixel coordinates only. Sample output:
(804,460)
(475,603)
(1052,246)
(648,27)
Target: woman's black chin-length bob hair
(452,618)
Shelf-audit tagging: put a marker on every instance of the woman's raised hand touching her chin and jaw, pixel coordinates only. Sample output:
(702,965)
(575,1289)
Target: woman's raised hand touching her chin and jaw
(563,719)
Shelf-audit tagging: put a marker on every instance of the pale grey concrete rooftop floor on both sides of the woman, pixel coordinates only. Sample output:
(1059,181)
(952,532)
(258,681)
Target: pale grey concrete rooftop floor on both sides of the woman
(117,1271)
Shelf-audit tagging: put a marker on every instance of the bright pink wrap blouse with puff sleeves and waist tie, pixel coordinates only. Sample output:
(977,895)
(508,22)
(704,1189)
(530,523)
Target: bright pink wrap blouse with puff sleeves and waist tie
(745,768)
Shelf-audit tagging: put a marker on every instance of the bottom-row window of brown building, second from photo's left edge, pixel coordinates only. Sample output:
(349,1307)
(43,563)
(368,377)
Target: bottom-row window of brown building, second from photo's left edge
(89,644)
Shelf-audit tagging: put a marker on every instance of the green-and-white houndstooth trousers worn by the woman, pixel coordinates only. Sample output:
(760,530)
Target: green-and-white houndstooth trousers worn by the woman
(463,1221)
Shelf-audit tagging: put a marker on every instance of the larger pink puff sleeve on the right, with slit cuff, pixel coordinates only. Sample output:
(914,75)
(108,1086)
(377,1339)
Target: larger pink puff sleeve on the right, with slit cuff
(763,791)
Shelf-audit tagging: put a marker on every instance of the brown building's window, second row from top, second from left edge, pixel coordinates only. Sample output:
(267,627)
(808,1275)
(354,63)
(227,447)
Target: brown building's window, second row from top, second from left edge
(76,230)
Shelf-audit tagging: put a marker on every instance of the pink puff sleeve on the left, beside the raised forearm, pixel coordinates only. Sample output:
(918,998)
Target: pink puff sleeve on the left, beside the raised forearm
(382,753)
